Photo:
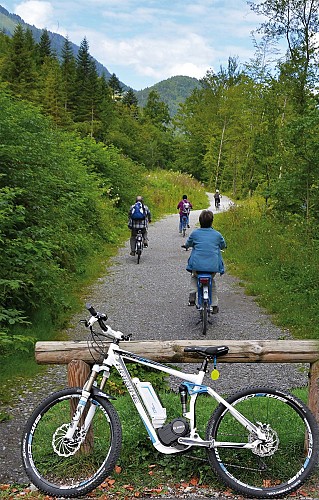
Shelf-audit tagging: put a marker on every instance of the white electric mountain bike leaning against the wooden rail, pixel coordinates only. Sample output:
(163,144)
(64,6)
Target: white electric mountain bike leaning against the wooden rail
(262,442)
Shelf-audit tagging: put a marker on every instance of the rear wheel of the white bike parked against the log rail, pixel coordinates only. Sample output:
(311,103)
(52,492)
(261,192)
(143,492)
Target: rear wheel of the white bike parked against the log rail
(278,465)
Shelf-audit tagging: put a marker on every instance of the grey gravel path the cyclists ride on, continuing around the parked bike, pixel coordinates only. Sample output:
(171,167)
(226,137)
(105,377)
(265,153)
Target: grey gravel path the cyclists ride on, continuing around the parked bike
(150,301)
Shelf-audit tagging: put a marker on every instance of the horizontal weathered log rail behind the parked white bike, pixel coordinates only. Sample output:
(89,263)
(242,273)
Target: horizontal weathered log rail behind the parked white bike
(240,351)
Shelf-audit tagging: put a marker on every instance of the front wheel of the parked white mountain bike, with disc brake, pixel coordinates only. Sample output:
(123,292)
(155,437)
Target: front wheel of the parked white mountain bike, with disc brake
(64,467)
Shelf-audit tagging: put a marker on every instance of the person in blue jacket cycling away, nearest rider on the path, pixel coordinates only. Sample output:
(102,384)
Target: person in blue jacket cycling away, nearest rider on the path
(206,244)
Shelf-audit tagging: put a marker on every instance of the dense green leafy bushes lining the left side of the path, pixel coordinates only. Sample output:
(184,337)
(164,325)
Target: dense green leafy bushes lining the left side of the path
(58,199)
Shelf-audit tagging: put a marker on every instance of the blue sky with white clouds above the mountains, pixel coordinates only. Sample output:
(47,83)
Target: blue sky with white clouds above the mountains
(146,41)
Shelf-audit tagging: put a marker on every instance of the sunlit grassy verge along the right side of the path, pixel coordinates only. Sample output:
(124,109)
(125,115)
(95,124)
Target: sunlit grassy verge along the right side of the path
(278,263)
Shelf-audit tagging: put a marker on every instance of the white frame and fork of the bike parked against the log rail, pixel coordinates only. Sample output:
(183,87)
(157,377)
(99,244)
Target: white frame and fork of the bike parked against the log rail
(193,382)
